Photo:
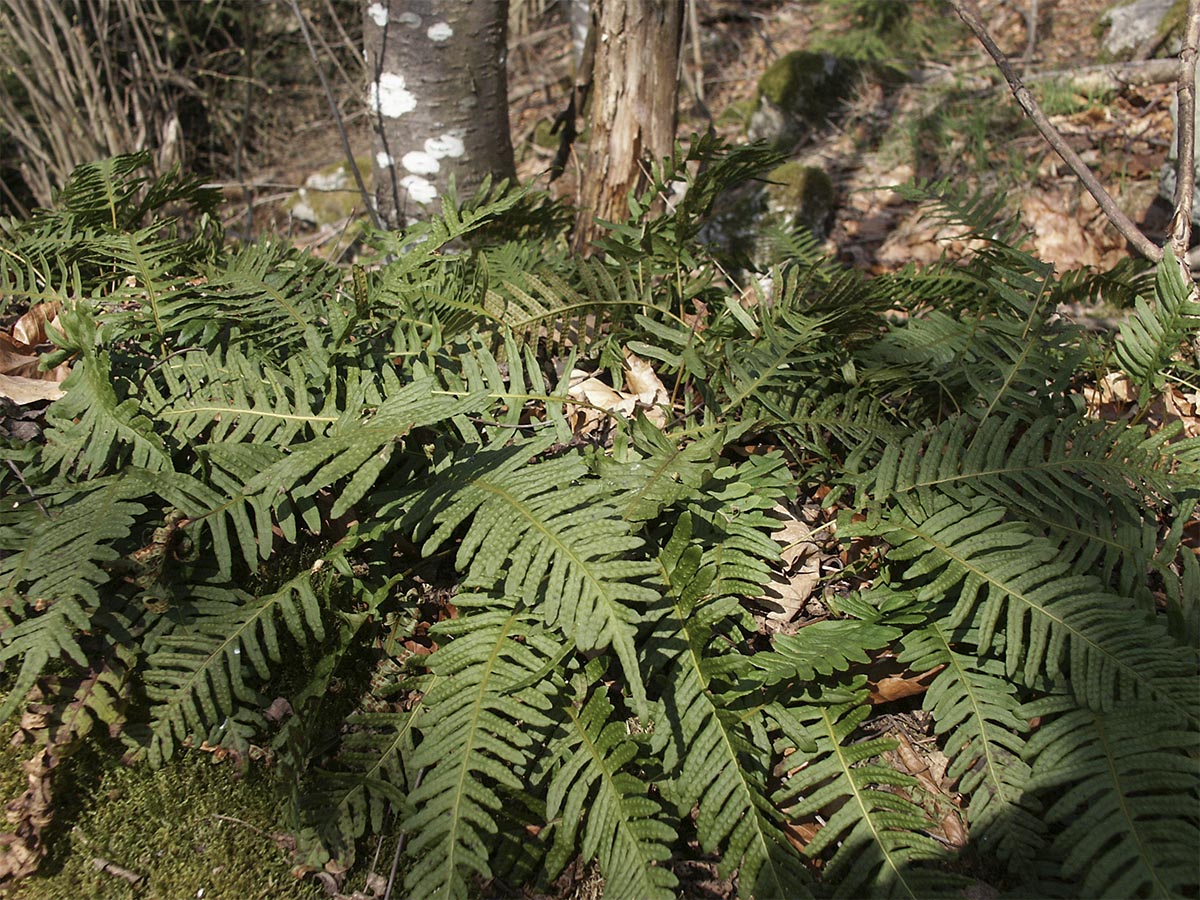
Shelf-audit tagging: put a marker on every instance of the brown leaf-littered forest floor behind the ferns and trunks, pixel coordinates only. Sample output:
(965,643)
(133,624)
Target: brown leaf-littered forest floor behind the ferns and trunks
(956,118)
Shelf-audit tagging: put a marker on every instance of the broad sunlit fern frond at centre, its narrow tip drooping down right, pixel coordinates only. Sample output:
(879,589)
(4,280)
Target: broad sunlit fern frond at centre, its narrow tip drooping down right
(550,536)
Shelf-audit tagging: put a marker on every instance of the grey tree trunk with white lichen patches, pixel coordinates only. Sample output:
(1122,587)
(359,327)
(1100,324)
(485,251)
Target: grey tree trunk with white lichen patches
(439,100)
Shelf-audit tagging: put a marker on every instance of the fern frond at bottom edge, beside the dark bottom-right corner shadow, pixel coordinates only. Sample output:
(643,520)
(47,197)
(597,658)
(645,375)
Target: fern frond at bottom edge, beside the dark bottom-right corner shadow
(875,843)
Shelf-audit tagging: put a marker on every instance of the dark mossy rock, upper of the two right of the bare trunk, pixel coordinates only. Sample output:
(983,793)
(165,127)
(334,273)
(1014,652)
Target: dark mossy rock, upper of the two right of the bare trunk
(797,95)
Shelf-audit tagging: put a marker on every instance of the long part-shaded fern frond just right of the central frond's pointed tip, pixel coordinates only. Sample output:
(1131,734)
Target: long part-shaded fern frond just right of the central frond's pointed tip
(721,743)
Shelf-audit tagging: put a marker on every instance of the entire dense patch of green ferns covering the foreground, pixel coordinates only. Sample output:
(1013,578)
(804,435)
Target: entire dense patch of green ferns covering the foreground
(525,649)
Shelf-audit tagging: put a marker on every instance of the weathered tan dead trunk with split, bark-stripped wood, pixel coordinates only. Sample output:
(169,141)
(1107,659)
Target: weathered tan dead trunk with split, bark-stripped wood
(634,97)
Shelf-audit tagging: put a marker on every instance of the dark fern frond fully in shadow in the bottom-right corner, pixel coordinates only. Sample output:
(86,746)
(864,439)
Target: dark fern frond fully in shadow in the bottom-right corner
(1121,790)
